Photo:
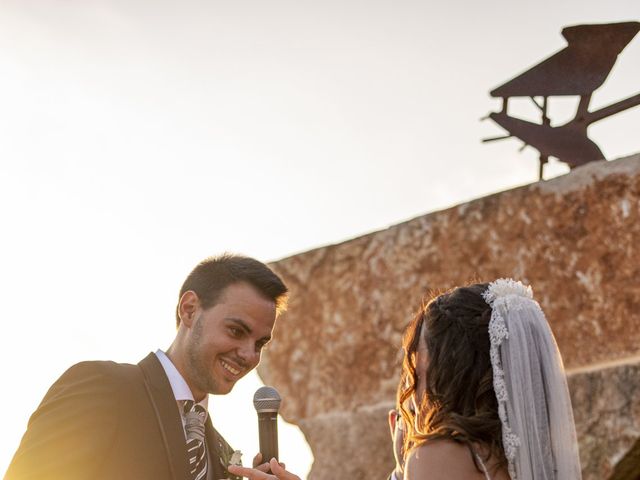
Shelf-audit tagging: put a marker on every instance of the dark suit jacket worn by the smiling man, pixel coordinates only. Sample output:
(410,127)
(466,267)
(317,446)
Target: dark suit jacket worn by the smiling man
(104,420)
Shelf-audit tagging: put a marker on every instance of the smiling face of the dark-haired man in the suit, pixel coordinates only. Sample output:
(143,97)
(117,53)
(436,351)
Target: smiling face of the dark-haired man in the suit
(225,341)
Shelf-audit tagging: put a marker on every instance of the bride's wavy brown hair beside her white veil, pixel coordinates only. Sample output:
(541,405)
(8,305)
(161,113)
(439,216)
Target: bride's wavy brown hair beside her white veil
(459,402)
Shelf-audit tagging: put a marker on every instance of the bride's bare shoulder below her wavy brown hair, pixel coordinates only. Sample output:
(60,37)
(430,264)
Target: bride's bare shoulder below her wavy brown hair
(440,460)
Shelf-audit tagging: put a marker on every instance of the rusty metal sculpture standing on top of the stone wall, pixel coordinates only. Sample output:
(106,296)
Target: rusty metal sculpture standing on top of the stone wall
(578,69)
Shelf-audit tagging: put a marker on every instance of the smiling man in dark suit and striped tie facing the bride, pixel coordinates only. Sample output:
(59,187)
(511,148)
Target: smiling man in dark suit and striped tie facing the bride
(103,420)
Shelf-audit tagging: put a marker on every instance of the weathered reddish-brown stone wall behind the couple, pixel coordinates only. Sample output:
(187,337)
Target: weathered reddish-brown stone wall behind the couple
(575,239)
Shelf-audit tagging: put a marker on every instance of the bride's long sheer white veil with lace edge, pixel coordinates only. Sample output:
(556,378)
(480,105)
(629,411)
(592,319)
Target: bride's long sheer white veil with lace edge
(534,404)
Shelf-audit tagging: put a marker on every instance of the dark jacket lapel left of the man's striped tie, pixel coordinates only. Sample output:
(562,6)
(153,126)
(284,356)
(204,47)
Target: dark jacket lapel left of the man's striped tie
(167,415)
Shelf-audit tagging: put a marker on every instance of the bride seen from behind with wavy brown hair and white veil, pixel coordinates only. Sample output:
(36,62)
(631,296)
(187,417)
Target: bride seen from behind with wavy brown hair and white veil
(483,393)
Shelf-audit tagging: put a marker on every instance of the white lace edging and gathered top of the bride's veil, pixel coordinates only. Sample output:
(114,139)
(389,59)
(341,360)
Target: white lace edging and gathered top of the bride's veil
(513,295)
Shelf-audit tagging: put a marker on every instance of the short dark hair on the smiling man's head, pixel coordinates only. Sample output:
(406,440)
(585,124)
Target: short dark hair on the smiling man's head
(211,276)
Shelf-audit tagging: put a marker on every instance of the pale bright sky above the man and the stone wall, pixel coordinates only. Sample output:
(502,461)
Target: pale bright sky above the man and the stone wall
(138,137)
